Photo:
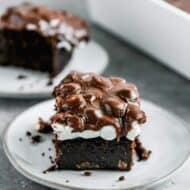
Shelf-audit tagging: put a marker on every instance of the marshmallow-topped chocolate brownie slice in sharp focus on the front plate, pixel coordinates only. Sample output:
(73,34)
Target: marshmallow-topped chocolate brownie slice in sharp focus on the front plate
(97,123)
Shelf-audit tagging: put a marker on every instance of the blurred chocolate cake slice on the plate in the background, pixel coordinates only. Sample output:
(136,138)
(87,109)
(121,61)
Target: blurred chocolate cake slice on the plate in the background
(37,38)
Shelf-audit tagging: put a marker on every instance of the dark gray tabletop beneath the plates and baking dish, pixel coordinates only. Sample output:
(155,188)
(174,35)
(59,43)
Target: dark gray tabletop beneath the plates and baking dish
(156,83)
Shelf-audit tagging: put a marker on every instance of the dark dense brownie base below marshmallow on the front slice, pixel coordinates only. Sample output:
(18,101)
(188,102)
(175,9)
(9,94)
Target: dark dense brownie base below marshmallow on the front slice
(94,153)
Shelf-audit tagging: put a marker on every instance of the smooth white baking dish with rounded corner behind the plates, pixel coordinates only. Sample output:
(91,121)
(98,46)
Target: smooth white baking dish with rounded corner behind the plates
(156,27)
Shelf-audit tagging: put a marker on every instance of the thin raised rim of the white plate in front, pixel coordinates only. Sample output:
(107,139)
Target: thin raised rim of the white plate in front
(58,186)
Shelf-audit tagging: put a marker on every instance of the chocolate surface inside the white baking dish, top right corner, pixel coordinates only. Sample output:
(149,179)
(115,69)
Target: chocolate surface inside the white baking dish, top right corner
(181,4)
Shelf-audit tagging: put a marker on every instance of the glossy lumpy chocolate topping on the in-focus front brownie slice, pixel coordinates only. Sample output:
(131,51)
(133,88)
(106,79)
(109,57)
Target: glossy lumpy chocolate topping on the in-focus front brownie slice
(89,101)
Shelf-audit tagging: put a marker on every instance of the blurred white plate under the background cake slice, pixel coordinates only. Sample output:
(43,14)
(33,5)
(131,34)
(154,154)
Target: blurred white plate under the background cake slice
(91,58)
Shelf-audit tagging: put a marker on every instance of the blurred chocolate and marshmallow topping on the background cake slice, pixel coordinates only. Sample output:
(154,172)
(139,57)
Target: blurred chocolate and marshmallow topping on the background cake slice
(62,25)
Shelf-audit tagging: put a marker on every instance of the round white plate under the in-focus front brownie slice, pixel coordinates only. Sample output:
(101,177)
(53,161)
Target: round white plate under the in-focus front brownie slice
(165,135)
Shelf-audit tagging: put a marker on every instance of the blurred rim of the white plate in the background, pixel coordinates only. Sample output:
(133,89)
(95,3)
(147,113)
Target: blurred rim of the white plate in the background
(45,94)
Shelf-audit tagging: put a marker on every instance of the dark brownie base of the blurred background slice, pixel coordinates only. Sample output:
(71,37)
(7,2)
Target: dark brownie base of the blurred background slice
(30,50)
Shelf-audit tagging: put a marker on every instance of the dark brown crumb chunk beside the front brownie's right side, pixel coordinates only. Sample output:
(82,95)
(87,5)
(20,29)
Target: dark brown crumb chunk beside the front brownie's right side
(142,153)
